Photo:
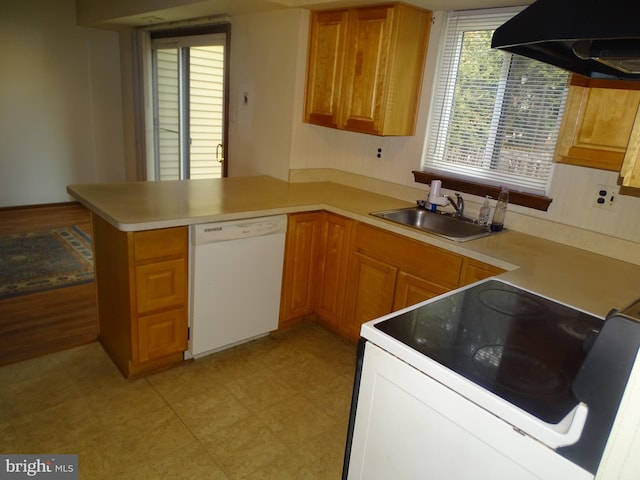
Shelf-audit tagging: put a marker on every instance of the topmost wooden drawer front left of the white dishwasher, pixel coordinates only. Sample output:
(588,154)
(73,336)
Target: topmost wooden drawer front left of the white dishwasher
(163,243)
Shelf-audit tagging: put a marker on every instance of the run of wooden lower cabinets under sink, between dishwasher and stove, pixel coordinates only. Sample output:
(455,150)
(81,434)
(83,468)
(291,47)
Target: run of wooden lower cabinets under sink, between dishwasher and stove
(347,273)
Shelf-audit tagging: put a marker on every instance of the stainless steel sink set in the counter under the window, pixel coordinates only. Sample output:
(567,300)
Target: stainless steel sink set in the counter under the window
(459,229)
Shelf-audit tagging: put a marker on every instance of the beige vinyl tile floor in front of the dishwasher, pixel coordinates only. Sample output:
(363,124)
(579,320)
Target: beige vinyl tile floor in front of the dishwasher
(274,408)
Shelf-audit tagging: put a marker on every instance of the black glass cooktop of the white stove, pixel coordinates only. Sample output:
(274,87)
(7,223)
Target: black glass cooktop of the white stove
(524,348)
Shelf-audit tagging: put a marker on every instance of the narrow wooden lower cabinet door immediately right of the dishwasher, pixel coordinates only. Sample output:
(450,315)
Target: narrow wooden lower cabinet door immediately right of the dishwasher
(301,265)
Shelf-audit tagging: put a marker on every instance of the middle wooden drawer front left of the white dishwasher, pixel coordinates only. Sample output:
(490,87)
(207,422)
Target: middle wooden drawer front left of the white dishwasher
(160,285)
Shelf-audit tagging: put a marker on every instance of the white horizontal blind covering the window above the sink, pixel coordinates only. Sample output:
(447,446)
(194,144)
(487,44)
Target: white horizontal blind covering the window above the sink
(494,116)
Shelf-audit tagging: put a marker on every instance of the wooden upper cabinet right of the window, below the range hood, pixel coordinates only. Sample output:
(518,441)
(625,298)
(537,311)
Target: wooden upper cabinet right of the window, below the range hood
(597,124)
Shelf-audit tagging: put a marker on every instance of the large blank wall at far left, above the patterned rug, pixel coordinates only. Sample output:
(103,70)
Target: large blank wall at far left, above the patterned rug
(60,103)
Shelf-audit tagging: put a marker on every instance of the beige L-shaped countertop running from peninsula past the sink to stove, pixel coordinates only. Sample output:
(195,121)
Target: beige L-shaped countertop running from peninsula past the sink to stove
(592,282)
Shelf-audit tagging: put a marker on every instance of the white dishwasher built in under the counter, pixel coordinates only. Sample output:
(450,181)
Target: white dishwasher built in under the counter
(235,281)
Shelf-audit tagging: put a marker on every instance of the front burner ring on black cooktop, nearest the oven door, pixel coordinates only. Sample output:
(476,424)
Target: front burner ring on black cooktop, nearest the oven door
(518,371)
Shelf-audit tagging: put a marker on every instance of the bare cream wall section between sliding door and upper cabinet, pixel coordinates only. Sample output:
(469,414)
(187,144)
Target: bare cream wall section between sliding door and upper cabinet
(264,52)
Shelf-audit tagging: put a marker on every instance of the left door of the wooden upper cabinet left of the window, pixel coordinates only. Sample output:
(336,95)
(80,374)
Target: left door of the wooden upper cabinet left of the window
(325,63)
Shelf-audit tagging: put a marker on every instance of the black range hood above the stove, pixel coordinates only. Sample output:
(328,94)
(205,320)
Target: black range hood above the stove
(595,38)
